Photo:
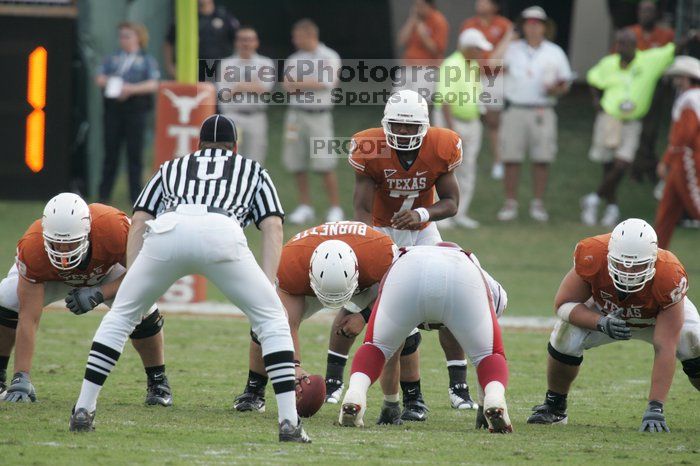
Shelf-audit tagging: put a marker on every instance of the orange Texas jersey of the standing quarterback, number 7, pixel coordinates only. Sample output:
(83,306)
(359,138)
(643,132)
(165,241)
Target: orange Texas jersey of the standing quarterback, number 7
(399,189)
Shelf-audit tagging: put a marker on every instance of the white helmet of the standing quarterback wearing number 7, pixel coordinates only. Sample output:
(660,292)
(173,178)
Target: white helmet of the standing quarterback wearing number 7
(407,107)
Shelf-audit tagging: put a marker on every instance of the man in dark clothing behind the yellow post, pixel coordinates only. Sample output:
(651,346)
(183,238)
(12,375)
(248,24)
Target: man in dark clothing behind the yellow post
(217,31)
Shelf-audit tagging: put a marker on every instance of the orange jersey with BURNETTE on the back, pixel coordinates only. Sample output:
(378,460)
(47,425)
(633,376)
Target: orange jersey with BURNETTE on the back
(374,251)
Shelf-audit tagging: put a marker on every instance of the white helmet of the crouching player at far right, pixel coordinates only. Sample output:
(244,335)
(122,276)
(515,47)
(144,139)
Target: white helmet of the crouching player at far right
(632,252)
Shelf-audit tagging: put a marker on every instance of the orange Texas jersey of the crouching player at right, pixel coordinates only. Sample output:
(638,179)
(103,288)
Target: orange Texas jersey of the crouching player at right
(669,285)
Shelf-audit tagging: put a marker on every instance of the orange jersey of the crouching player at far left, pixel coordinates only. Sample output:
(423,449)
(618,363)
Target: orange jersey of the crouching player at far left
(108,235)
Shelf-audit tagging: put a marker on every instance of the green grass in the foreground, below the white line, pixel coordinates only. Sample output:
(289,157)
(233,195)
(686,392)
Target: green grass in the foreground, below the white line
(207,366)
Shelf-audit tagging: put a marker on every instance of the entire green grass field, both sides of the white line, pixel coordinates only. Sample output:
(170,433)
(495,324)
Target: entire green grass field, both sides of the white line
(207,356)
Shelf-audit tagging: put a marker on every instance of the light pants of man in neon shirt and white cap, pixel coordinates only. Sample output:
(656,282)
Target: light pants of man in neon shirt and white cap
(470,131)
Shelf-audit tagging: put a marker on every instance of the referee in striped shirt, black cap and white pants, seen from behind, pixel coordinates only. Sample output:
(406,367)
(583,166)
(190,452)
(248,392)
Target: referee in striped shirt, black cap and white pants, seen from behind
(189,219)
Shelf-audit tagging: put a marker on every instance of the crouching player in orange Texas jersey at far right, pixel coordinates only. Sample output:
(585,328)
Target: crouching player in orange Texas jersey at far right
(622,287)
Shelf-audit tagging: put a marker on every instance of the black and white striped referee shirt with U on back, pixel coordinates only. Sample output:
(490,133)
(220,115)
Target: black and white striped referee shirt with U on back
(216,178)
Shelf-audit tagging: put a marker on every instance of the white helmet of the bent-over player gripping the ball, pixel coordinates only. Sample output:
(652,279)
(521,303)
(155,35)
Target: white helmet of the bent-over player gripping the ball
(334,273)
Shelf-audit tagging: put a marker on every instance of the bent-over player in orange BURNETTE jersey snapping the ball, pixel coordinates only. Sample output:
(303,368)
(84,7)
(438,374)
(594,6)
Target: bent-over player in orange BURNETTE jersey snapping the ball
(335,265)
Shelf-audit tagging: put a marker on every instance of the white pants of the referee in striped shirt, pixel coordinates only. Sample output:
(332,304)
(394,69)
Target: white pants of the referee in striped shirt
(178,244)
